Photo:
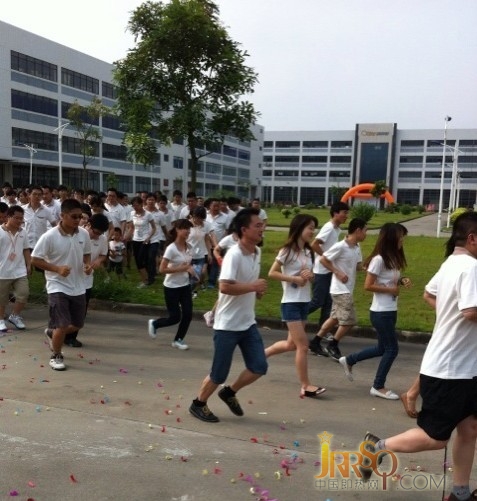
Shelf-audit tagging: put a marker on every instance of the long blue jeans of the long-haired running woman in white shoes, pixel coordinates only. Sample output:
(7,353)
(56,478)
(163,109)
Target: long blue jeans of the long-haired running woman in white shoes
(387,348)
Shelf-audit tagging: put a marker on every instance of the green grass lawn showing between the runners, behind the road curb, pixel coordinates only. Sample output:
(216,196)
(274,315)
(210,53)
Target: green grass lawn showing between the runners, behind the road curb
(424,256)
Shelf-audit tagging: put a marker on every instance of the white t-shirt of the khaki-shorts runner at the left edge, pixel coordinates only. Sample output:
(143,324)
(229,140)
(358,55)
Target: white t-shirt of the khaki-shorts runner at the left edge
(12,262)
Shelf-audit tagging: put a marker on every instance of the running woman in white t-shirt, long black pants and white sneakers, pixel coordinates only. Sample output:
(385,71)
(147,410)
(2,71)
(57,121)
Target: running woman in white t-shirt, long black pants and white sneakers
(177,265)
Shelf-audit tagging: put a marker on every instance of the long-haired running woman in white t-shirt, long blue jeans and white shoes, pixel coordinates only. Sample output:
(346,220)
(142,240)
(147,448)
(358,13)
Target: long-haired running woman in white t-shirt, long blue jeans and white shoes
(383,279)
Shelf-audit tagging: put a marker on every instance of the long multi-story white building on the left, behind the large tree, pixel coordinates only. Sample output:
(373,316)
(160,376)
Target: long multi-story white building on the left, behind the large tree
(40,79)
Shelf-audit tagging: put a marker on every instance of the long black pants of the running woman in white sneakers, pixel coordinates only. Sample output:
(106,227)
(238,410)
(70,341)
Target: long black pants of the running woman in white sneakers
(179,306)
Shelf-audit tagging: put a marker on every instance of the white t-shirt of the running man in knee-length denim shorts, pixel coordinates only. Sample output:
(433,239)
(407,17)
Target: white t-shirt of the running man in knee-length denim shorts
(237,313)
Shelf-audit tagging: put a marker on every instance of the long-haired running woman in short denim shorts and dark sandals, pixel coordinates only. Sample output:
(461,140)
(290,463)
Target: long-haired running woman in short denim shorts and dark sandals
(294,268)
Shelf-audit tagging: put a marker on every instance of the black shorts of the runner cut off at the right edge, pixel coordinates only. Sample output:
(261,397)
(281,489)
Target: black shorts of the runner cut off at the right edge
(445,403)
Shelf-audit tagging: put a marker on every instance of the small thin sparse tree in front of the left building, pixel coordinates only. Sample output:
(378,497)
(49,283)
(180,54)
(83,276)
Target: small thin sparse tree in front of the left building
(85,122)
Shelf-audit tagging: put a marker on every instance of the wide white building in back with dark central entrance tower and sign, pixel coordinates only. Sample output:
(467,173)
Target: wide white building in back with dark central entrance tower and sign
(303,167)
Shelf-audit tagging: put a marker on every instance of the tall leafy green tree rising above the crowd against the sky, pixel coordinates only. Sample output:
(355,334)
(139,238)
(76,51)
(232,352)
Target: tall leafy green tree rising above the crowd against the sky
(185,78)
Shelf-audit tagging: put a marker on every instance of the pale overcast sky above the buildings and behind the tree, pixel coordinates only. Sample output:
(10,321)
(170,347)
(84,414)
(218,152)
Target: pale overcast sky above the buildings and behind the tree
(322,64)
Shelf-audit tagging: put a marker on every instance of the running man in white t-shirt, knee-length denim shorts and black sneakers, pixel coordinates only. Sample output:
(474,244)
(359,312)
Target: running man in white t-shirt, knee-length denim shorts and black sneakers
(235,325)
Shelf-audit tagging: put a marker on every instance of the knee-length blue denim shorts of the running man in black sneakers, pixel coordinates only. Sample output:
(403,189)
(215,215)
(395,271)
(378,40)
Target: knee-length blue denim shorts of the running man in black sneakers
(251,345)
